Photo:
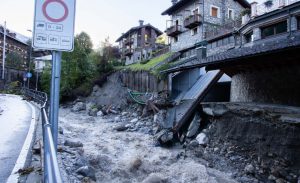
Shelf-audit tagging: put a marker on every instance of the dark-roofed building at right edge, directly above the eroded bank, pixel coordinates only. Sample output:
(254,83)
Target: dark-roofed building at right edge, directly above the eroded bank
(263,58)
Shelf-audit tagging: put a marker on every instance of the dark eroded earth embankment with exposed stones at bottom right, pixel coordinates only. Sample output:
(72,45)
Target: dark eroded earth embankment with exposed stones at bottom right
(263,141)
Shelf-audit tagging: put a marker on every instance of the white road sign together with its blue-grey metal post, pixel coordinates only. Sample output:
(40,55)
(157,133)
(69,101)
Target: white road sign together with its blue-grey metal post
(54,30)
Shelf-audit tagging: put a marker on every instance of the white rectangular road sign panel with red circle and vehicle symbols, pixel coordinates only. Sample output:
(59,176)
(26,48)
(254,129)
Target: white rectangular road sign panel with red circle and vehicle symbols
(54,25)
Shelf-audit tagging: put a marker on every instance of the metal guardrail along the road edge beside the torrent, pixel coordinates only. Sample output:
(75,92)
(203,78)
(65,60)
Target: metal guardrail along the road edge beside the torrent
(51,168)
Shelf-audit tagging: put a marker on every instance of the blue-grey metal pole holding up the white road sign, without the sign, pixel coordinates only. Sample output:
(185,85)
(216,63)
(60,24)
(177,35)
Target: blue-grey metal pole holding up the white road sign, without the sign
(55,88)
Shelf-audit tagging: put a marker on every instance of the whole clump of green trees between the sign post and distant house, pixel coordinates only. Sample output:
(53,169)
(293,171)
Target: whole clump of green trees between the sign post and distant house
(82,67)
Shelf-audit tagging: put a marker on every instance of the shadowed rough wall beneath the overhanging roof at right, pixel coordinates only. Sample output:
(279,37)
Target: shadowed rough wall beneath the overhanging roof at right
(279,86)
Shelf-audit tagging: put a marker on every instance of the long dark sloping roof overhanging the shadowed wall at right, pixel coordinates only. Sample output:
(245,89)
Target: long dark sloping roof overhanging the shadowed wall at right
(261,47)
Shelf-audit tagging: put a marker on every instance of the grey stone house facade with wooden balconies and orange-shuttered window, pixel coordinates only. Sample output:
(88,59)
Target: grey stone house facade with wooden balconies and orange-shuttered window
(192,21)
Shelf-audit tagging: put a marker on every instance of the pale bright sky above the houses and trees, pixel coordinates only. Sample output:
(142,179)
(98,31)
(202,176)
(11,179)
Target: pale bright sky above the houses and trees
(99,18)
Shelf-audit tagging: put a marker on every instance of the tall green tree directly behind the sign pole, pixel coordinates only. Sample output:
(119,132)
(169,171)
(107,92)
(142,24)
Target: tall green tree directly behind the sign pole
(77,68)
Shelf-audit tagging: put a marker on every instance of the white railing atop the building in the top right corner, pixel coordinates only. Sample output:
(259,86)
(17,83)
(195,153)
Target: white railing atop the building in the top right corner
(275,4)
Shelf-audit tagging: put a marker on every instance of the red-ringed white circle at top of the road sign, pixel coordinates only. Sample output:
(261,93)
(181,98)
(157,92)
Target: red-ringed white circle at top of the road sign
(61,10)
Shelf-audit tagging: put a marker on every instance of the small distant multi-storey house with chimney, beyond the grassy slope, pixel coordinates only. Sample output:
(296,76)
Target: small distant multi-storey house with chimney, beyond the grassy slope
(138,43)
